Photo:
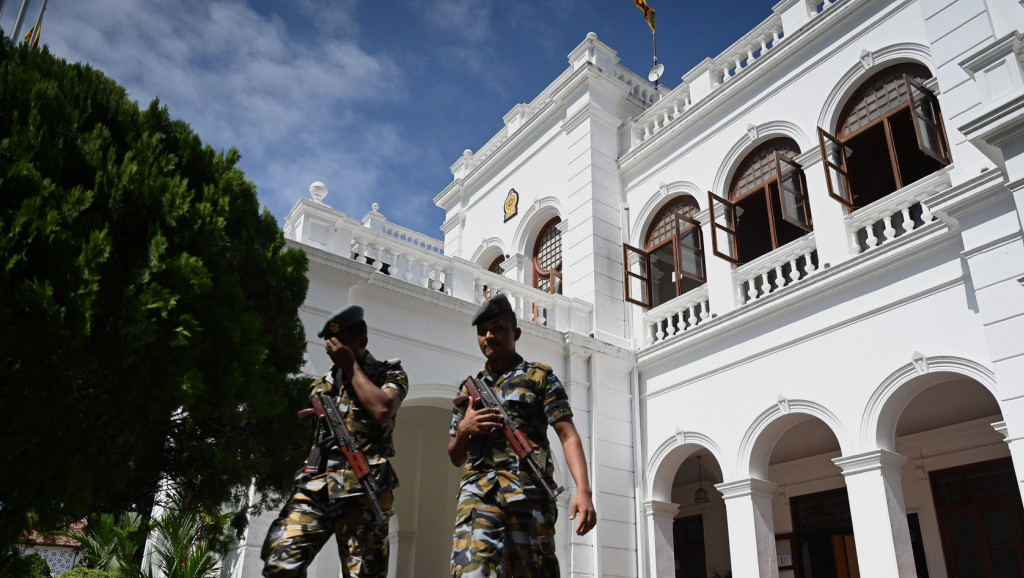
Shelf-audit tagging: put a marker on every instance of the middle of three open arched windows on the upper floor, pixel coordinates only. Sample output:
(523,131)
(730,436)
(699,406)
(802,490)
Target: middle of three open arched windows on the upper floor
(767,205)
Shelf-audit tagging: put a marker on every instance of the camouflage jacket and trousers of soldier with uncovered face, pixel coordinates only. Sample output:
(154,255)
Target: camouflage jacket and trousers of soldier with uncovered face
(505,523)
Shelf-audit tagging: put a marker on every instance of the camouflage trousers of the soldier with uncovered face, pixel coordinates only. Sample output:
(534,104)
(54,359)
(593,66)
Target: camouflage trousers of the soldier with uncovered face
(495,539)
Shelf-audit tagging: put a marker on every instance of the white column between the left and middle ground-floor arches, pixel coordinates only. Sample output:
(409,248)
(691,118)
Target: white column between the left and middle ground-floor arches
(752,527)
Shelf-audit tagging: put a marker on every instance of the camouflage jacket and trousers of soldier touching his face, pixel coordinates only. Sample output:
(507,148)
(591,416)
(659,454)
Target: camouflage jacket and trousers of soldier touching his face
(333,502)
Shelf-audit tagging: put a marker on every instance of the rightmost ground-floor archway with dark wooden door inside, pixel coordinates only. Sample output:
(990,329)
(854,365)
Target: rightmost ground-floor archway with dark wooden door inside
(963,501)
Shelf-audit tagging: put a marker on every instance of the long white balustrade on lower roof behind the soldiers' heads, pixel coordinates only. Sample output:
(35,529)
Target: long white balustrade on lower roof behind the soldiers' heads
(409,259)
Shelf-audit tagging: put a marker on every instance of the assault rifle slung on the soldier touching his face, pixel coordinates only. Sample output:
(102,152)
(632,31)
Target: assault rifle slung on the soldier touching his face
(325,410)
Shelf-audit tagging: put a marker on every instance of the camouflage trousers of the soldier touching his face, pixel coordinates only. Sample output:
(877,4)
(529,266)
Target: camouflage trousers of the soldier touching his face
(309,520)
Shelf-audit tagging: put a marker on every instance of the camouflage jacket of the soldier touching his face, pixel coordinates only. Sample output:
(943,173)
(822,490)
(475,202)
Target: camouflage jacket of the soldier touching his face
(374,439)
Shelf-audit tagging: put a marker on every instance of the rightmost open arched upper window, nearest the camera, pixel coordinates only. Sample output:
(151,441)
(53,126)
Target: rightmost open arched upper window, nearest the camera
(890,135)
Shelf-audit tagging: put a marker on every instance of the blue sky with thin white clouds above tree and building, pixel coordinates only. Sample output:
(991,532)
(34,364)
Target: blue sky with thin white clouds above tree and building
(376,100)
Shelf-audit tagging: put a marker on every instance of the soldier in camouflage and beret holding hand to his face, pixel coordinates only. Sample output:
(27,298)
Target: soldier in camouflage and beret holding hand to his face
(330,500)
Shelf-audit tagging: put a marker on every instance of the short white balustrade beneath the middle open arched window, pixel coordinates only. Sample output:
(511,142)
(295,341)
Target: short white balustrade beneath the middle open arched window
(782,268)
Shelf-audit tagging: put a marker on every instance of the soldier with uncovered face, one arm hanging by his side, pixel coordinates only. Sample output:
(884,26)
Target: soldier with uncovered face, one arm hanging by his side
(505,522)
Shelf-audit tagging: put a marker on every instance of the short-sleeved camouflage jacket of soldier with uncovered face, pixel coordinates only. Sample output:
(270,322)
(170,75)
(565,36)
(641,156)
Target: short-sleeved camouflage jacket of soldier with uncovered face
(534,398)
